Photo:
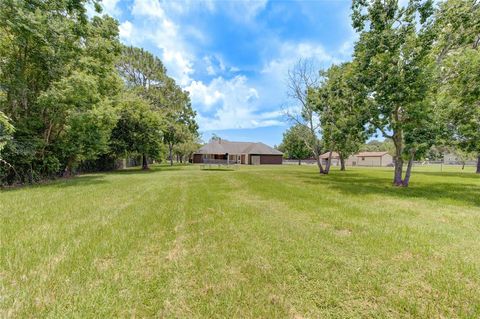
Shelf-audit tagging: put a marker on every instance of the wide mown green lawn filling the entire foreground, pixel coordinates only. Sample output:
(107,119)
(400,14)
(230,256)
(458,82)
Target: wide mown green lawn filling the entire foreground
(250,242)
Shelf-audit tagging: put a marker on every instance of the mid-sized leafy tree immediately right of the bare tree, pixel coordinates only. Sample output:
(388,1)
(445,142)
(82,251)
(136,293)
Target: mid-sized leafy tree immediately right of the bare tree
(340,103)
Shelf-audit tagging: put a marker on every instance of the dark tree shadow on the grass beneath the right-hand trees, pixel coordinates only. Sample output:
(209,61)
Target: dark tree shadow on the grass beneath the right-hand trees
(361,184)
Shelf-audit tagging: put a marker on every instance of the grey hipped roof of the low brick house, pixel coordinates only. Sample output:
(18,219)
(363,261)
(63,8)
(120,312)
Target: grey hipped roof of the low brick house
(223,147)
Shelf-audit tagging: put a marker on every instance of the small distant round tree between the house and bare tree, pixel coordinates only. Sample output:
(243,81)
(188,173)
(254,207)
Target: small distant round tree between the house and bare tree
(293,143)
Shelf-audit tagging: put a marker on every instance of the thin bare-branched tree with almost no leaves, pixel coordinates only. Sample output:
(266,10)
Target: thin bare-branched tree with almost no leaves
(302,78)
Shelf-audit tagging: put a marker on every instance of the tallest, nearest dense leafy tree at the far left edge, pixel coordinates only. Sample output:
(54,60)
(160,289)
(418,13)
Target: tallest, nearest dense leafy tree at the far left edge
(47,48)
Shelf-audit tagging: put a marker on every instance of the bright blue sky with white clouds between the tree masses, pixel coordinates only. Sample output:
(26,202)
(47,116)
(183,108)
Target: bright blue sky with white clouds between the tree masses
(233,56)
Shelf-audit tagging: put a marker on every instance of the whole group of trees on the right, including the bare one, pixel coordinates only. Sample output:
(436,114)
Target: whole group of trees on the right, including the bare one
(414,77)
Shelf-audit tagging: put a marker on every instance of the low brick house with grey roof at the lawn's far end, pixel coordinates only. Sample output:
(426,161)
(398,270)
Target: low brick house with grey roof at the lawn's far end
(249,153)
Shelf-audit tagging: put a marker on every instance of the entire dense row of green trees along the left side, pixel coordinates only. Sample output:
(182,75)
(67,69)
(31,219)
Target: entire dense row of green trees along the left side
(72,97)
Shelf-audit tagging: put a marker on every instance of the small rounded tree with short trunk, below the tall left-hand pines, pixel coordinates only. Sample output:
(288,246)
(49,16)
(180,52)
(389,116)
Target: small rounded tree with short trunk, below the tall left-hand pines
(138,130)
